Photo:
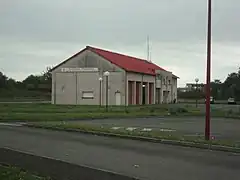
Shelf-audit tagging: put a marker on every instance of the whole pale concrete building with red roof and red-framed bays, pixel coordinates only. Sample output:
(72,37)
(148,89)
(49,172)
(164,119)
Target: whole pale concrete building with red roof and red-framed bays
(99,77)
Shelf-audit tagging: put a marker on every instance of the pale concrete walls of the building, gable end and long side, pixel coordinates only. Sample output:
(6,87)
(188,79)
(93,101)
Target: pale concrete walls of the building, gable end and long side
(118,81)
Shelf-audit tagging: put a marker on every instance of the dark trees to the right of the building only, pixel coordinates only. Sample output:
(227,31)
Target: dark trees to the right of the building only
(219,90)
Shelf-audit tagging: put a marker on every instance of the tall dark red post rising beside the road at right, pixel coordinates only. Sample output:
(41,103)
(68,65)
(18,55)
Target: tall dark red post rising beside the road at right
(209,41)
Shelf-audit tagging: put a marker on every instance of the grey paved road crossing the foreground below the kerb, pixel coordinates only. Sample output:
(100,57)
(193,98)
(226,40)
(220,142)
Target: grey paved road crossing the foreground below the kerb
(139,159)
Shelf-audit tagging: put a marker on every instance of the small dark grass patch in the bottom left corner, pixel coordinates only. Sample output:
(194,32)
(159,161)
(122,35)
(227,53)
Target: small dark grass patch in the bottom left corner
(13,173)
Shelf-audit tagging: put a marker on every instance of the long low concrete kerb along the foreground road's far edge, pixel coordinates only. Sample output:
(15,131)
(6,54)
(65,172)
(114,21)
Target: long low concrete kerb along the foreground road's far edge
(146,139)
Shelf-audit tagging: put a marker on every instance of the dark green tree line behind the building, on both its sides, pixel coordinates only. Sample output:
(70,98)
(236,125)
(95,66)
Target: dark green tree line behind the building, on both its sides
(40,86)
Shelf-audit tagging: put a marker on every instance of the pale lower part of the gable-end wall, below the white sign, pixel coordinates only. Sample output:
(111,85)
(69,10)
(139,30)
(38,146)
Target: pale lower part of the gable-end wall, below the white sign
(75,84)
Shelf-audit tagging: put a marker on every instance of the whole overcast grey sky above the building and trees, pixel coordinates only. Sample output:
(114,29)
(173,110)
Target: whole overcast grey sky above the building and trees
(36,34)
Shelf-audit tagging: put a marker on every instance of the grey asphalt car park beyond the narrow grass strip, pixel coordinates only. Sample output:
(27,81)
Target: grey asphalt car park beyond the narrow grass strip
(221,128)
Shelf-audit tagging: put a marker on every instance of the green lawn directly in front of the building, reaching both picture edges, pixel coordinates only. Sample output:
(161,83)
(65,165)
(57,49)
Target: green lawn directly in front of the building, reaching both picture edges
(49,112)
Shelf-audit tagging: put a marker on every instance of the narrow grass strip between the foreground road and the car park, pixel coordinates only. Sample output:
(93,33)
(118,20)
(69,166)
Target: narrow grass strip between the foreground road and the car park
(136,133)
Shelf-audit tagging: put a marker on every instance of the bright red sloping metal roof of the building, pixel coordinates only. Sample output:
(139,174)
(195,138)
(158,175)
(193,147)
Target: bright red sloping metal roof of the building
(128,63)
